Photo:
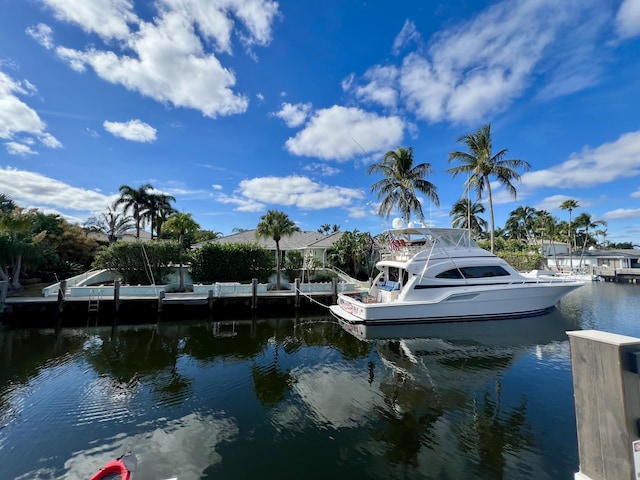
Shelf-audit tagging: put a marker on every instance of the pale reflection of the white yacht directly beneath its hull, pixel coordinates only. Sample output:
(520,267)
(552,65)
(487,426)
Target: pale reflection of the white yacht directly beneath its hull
(455,352)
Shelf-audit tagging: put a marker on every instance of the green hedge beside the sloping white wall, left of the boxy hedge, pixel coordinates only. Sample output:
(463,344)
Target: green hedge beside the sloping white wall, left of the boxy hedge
(130,259)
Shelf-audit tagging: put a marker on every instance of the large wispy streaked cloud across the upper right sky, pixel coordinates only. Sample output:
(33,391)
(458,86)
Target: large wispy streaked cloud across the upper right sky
(477,68)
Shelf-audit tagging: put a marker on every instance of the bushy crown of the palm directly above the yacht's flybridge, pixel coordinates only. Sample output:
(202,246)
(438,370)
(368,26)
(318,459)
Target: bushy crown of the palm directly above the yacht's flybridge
(401,182)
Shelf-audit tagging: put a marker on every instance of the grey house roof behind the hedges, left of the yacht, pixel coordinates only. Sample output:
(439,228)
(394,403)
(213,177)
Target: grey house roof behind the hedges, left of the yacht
(297,241)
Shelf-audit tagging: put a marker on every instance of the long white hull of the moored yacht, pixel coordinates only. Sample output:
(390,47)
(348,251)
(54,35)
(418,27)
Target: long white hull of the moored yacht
(460,304)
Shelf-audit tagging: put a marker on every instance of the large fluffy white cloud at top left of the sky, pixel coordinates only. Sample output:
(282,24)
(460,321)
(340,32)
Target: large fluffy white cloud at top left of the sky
(167,59)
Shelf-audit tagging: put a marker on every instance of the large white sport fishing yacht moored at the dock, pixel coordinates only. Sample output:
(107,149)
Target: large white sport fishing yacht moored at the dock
(441,275)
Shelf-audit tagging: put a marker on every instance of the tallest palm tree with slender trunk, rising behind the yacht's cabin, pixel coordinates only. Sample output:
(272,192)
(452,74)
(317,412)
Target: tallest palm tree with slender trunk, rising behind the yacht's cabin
(480,164)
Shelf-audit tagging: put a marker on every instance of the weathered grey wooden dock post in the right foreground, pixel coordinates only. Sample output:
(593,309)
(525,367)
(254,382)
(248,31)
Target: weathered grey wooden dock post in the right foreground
(606,384)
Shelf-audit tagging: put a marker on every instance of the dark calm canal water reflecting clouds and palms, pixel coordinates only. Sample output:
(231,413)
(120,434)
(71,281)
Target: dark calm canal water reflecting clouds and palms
(302,397)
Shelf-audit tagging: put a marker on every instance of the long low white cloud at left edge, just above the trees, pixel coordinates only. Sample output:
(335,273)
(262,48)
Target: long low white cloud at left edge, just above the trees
(29,188)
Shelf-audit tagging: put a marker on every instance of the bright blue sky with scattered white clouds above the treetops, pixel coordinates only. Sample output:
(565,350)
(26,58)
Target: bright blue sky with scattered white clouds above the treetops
(236,107)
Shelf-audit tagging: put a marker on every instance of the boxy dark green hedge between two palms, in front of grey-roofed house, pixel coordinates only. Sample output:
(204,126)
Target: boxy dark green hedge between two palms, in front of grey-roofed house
(234,262)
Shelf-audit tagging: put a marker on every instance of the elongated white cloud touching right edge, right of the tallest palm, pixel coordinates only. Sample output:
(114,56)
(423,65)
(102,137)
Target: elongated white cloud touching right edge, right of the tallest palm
(593,166)
